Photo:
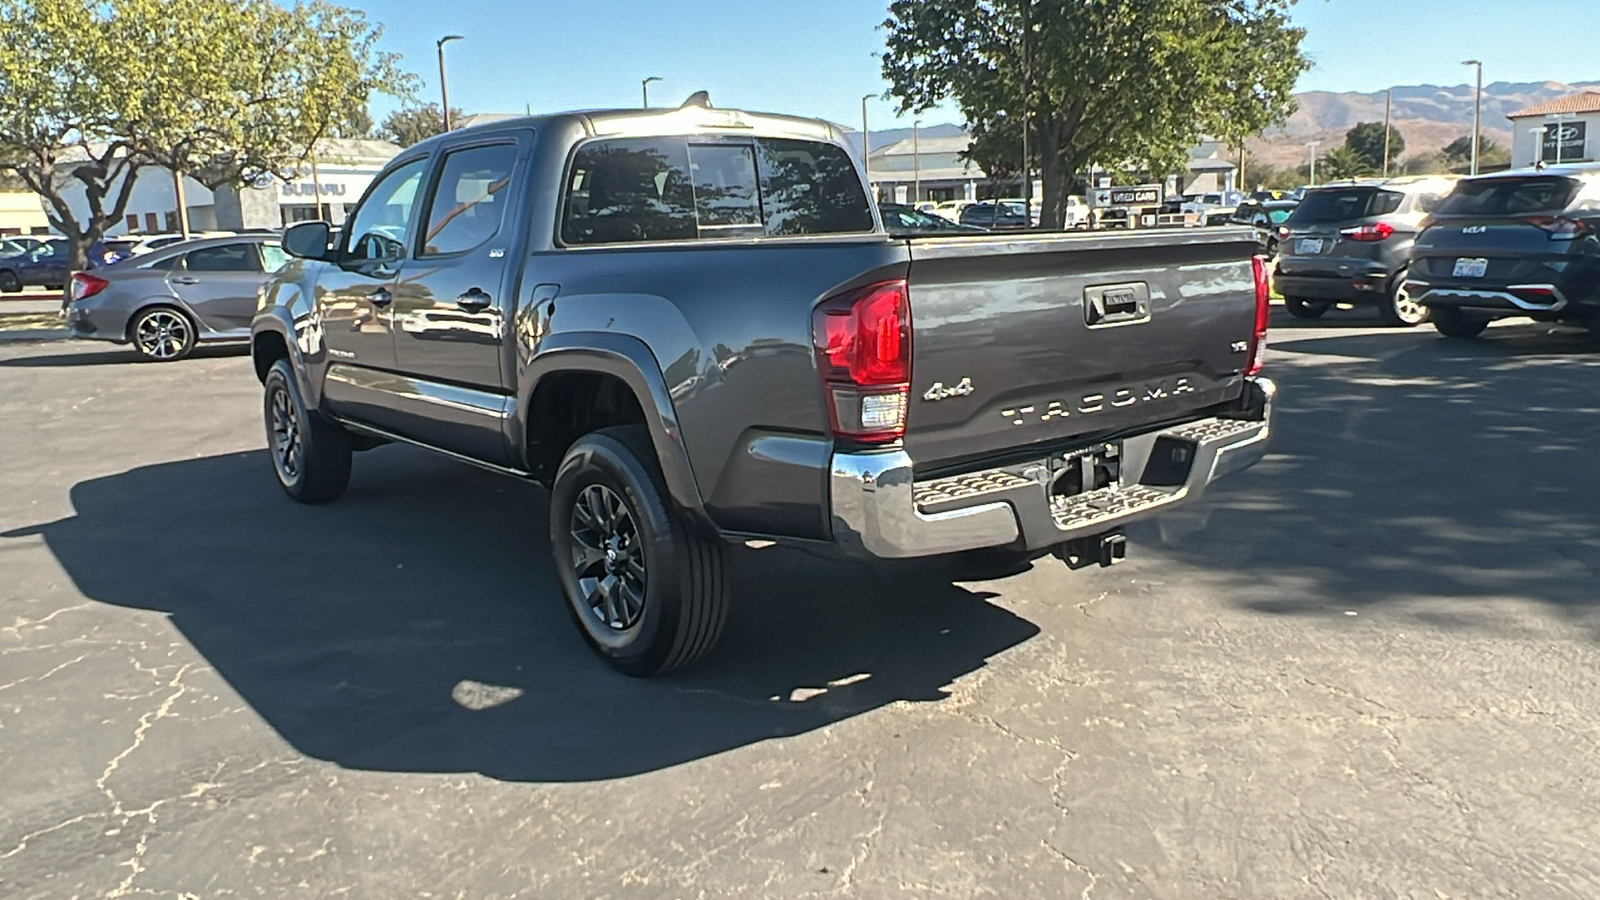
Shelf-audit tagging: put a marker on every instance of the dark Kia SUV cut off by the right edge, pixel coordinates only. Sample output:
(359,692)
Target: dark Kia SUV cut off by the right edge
(1519,243)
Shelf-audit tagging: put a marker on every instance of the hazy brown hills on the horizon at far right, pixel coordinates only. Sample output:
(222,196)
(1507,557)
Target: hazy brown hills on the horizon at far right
(1428,116)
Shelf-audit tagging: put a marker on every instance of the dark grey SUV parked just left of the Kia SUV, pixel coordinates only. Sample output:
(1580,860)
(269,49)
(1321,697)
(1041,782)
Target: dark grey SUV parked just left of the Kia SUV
(1351,243)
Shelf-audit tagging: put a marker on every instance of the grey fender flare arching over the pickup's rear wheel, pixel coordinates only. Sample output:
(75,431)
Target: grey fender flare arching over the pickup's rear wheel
(636,366)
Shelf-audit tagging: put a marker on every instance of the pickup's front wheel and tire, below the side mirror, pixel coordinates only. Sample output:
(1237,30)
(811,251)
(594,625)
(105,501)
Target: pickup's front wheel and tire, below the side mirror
(311,456)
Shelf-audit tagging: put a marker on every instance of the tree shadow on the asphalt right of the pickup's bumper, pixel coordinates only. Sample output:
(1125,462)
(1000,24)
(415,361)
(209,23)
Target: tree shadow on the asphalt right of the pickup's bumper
(1430,478)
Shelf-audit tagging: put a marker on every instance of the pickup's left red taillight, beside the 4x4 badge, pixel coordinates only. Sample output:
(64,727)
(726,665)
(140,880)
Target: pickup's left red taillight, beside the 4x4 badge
(863,355)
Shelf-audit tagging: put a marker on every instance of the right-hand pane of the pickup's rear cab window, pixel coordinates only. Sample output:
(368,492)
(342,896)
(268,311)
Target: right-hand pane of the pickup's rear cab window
(810,188)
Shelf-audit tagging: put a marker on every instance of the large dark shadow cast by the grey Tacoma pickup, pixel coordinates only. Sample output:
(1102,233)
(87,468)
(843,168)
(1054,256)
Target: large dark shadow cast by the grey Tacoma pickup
(417,625)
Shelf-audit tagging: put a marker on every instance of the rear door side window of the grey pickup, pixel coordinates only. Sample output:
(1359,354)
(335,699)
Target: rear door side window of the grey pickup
(470,203)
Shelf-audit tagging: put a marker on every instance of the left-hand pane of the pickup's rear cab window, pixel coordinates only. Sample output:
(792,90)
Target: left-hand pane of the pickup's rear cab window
(630,190)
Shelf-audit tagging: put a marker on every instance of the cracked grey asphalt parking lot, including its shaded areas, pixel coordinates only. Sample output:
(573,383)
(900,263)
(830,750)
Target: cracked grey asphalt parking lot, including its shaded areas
(1367,669)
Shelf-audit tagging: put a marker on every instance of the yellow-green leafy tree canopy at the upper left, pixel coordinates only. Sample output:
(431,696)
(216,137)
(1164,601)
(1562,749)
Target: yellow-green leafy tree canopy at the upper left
(225,90)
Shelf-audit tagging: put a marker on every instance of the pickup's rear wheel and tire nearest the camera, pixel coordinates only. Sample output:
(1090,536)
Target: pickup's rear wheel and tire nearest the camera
(646,589)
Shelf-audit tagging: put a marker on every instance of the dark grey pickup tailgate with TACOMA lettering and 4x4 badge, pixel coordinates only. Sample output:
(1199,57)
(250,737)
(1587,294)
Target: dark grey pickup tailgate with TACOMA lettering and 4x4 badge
(1054,340)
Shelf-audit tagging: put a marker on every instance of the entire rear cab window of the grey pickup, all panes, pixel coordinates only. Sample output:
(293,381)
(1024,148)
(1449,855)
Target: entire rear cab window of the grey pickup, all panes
(652,190)
